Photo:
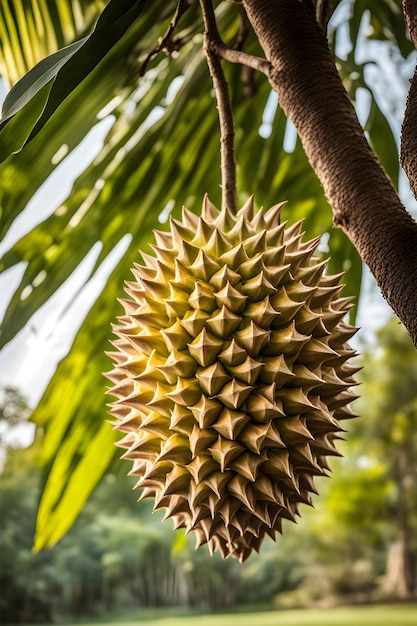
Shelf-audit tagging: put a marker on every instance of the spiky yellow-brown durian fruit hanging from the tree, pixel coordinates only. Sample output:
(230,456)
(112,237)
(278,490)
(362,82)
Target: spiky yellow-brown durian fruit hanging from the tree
(231,374)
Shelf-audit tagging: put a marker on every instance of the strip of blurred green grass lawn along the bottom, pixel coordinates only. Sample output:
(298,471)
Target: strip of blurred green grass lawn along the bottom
(392,615)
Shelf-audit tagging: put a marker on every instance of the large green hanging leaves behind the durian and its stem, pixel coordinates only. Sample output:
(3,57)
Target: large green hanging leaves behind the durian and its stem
(160,150)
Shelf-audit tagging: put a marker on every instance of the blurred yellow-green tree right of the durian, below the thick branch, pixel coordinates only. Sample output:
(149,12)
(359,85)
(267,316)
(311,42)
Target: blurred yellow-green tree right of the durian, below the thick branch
(372,494)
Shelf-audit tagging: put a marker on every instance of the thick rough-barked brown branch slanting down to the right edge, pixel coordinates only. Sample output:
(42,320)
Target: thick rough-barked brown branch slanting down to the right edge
(364,202)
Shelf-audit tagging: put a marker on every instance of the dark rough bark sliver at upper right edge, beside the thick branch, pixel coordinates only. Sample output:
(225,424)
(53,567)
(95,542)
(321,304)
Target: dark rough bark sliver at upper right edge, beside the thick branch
(409,129)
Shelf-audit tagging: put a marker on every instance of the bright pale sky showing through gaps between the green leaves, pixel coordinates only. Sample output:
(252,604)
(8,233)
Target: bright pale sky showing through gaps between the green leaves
(28,362)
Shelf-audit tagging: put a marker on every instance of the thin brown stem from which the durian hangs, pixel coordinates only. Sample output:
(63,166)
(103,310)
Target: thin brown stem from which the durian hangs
(224,107)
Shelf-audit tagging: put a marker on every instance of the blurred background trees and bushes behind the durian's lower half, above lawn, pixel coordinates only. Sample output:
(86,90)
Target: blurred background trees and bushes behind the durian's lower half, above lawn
(119,555)
